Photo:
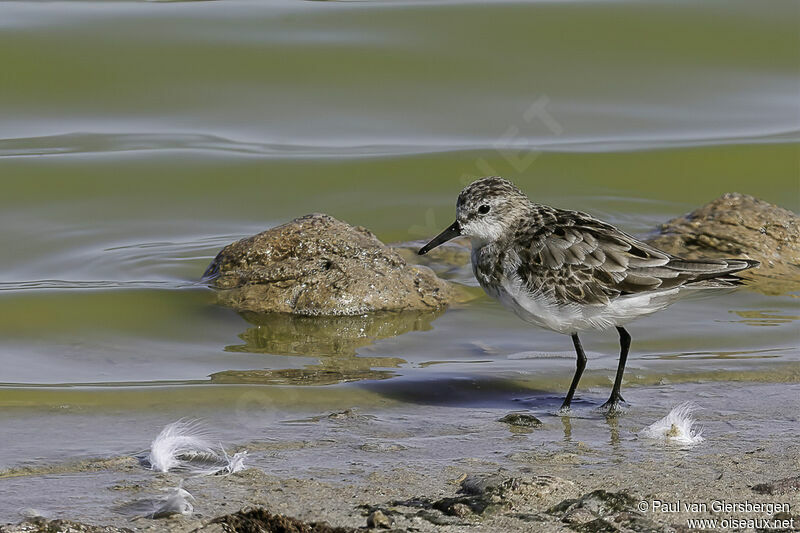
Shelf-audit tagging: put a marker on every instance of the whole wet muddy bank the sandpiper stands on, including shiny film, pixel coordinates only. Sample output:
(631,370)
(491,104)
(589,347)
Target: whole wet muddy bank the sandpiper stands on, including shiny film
(470,471)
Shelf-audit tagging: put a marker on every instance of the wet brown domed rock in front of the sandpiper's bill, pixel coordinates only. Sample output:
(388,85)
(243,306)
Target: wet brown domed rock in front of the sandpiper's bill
(316,265)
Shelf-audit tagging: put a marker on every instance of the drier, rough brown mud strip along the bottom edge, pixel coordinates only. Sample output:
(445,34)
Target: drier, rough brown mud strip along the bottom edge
(624,497)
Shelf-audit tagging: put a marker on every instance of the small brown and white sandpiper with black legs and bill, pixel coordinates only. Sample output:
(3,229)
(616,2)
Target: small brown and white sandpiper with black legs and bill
(568,272)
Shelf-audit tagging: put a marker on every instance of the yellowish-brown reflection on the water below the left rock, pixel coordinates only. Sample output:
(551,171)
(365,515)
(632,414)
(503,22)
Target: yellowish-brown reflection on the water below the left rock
(333,340)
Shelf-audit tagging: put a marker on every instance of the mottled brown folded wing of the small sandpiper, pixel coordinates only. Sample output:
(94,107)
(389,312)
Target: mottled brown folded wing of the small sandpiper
(584,260)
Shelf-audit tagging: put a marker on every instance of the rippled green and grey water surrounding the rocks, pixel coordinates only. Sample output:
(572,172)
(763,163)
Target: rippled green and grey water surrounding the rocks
(138,138)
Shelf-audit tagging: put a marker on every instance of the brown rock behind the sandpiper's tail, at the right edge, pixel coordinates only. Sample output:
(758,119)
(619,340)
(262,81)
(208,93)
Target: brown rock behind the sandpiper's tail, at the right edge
(739,225)
